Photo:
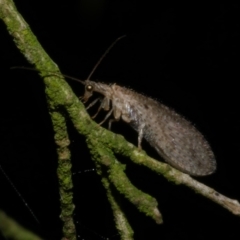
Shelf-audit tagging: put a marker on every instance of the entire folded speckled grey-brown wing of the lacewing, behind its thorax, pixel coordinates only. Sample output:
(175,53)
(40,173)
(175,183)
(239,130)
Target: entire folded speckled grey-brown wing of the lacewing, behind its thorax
(175,139)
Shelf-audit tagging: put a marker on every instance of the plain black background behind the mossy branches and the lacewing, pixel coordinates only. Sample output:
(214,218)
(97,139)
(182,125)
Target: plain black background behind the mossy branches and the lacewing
(186,56)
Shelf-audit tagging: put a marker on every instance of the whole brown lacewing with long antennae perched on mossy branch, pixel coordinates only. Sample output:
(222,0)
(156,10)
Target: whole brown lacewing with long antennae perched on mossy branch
(176,140)
